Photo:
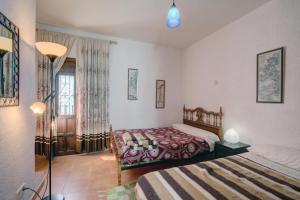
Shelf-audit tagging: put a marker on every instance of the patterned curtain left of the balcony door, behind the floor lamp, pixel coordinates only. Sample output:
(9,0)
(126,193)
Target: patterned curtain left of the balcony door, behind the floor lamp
(43,87)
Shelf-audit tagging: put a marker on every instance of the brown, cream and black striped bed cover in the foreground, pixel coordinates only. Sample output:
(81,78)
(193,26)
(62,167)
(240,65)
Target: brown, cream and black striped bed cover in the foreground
(233,177)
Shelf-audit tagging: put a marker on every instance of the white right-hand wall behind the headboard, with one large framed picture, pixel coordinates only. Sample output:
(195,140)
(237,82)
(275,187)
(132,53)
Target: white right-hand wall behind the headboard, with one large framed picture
(221,70)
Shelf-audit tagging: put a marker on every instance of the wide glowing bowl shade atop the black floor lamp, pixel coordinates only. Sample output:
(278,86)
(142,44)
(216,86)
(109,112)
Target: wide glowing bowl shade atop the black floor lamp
(51,49)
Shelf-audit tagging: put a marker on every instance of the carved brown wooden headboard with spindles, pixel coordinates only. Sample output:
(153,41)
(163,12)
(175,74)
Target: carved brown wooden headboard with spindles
(206,120)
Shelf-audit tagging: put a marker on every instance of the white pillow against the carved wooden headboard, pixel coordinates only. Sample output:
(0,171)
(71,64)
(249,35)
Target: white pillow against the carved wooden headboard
(209,137)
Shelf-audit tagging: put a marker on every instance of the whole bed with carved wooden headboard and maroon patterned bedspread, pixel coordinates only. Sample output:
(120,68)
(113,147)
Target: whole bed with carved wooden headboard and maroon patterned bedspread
(174,146)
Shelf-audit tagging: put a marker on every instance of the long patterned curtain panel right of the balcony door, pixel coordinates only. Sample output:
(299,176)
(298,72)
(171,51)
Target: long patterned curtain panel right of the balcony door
(92,82)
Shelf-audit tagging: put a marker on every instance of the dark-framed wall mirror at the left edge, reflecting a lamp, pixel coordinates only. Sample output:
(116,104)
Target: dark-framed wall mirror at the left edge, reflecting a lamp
(9,62)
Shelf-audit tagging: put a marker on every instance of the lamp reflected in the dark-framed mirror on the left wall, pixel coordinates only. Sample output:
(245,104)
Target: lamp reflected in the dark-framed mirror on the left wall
(5,46)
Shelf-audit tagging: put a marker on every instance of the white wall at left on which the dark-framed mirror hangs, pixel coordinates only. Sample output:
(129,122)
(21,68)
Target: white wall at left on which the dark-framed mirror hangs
(17,124)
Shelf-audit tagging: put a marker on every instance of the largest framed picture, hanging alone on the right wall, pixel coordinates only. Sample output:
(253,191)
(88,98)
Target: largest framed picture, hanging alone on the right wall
(270,76)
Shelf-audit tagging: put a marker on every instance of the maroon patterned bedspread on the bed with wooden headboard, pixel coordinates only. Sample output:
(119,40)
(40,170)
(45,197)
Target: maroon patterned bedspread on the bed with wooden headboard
(172,144)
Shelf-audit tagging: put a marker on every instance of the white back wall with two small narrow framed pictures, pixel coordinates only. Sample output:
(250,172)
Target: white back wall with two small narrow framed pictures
(154,62)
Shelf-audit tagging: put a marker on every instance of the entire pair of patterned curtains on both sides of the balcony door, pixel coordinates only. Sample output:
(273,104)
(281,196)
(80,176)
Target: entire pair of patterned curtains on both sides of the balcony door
(92,92)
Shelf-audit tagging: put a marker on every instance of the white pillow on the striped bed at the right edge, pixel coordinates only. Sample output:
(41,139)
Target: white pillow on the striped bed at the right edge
(286,156)
